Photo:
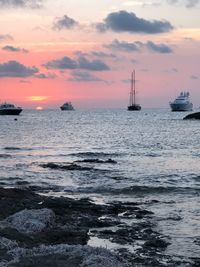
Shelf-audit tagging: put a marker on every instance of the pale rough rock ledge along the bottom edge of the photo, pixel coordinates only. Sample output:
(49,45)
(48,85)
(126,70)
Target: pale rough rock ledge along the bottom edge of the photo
(65,256)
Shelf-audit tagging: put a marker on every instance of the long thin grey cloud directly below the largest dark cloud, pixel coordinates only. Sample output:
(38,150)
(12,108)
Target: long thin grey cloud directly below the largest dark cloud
(138,46)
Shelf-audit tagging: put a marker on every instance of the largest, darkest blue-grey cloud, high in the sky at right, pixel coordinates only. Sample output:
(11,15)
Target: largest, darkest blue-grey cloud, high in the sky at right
(123,21)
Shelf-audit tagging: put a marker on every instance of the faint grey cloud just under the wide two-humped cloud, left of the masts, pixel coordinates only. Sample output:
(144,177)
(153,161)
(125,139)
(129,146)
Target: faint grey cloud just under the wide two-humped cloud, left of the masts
(83,76)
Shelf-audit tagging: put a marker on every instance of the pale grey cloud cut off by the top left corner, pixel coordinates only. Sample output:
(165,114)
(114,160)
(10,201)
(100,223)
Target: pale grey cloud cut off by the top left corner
(21,3)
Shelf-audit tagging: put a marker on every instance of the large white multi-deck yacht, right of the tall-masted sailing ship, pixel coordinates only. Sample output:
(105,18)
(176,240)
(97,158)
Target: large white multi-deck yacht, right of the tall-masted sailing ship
(182,103)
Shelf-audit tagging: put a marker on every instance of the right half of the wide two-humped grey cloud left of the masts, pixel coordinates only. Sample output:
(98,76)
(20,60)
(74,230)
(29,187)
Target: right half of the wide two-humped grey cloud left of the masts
(94,65)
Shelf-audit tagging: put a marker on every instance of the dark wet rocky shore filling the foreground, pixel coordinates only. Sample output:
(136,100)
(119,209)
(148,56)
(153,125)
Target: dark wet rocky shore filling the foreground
(37,230)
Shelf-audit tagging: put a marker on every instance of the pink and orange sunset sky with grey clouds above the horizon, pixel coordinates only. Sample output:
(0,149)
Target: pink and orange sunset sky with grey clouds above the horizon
(84,51)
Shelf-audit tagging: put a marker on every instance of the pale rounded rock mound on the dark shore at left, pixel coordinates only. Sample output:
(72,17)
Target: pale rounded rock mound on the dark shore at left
(30,221)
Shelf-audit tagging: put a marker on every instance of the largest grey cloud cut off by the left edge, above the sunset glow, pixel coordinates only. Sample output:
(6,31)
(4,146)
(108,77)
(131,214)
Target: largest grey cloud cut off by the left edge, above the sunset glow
(15,69)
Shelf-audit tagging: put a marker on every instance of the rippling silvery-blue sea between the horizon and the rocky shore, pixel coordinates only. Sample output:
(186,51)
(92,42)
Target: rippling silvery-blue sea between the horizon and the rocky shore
(155,160)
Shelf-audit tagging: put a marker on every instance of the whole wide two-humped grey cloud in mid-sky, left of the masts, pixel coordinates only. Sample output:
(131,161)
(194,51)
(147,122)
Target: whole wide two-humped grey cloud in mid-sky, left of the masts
(81,63)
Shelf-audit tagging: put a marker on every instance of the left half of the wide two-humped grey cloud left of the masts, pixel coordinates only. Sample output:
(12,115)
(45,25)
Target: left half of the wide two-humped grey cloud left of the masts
(62,64)
